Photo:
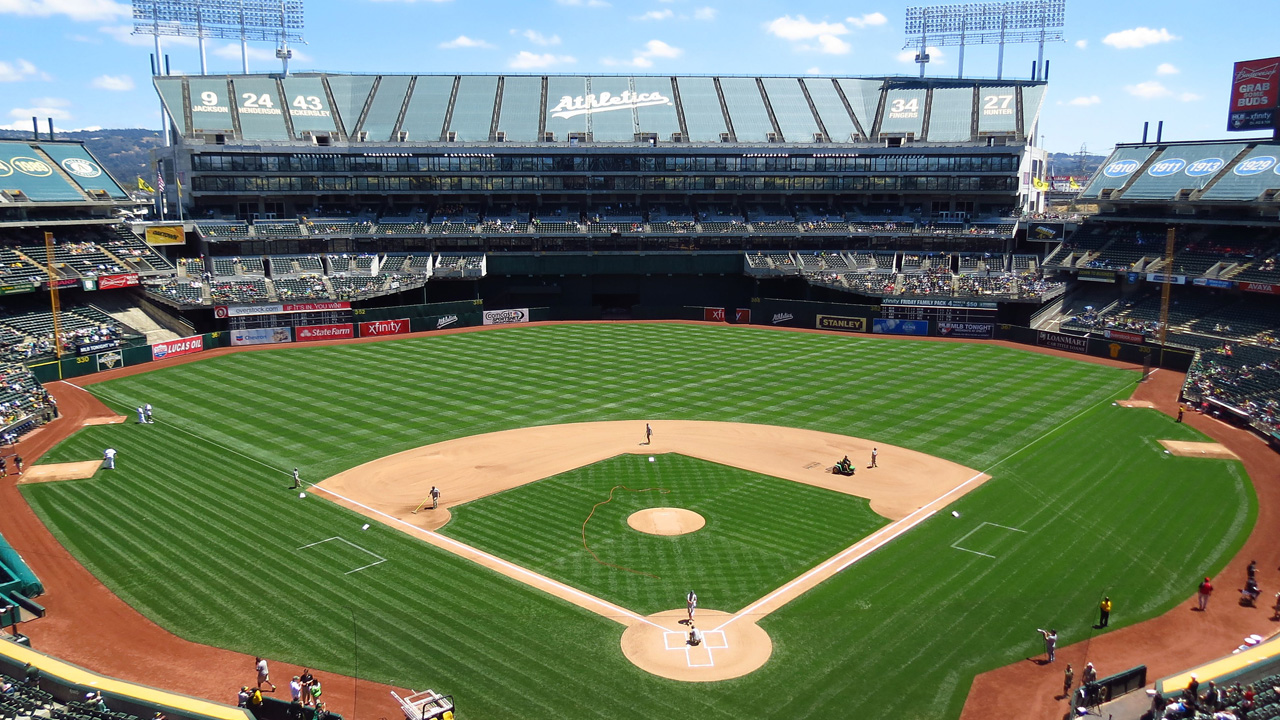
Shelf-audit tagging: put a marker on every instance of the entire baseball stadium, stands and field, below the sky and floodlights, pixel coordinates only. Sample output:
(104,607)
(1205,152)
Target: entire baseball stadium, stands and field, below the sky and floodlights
(636,397)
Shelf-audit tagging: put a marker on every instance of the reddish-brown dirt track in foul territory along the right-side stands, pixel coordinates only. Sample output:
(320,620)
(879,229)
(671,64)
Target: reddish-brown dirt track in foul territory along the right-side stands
(1180,639)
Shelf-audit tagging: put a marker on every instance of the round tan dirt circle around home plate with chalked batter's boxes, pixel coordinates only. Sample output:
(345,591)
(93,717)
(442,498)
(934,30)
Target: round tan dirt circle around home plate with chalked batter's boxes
(661,646)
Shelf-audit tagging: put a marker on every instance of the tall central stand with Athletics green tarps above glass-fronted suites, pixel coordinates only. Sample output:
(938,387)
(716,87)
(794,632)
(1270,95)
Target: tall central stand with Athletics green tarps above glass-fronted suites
(304,145)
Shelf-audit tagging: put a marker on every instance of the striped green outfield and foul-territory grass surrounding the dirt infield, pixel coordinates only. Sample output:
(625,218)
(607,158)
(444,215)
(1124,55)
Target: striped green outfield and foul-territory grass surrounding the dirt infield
(198,532)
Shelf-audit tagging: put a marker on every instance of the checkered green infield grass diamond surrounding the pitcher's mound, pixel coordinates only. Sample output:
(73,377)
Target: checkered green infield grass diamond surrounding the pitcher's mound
(761,532)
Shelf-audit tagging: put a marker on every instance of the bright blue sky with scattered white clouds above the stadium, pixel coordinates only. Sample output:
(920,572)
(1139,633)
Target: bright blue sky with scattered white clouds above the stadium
(1124,62)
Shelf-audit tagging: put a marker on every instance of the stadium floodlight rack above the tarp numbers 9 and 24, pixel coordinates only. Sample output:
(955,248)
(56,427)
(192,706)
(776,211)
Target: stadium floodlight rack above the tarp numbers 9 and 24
(260,21)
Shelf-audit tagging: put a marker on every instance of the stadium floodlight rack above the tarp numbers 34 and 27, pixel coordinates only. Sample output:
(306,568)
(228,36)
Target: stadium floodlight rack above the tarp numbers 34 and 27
(986,24)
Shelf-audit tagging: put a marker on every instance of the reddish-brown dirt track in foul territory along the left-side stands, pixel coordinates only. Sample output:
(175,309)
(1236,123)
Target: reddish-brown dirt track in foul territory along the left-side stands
(92,627)
